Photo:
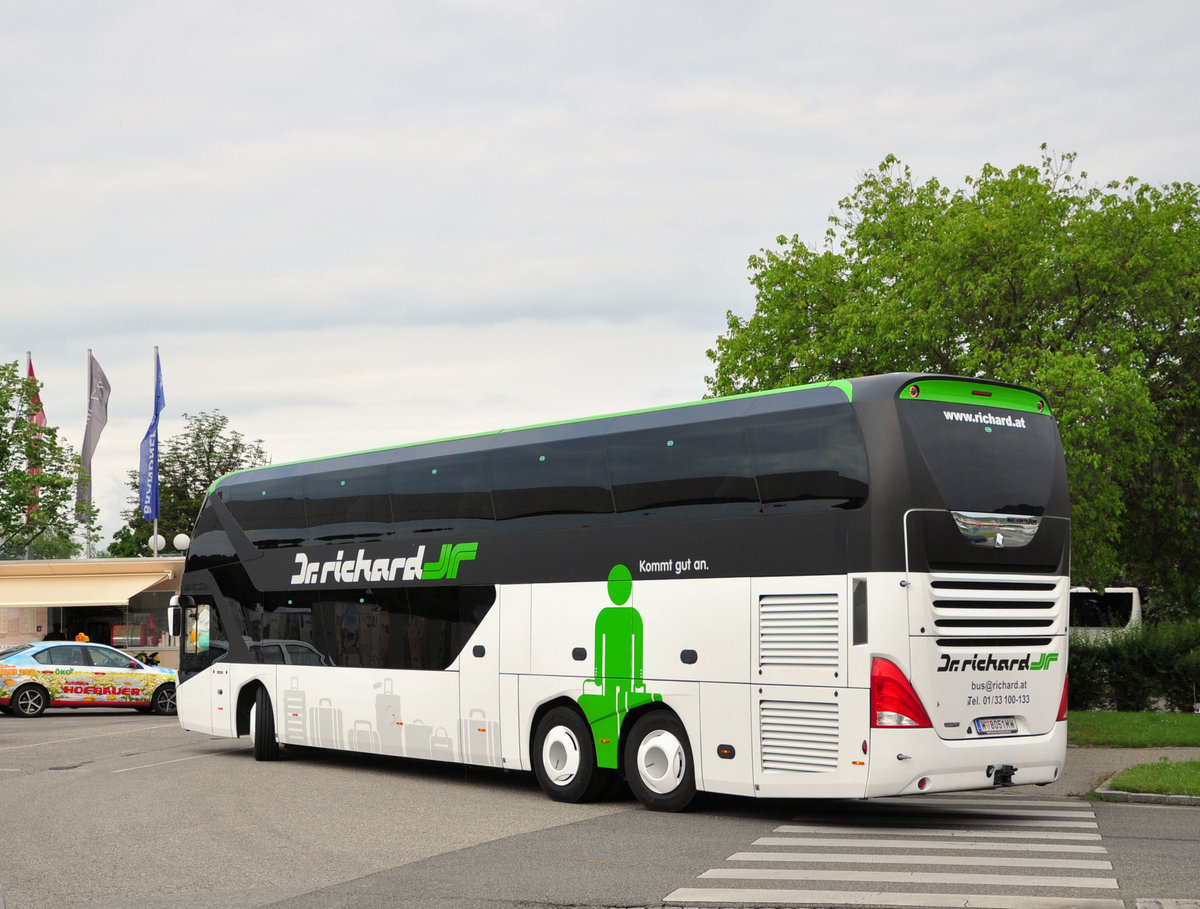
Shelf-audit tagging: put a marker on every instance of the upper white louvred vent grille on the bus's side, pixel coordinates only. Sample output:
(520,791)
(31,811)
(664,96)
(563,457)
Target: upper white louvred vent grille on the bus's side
(799,630)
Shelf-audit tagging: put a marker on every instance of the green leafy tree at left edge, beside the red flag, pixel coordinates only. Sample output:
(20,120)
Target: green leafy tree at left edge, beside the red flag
(38,515)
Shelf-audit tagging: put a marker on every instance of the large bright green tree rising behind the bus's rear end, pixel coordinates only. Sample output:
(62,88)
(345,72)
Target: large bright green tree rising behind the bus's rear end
(1036,276)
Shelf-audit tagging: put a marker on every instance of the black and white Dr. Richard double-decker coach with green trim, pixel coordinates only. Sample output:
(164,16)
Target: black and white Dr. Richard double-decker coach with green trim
(850,589)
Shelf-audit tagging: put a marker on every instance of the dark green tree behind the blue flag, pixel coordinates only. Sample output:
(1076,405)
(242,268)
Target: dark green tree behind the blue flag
(189,465)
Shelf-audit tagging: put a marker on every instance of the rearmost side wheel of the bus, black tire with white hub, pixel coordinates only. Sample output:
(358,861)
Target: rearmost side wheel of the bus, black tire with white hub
(658,763)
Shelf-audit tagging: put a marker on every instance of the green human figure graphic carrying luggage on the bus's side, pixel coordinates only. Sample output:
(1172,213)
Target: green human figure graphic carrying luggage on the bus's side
(617,670)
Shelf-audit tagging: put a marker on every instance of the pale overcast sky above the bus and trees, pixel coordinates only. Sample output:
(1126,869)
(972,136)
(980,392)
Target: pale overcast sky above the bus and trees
(349,226)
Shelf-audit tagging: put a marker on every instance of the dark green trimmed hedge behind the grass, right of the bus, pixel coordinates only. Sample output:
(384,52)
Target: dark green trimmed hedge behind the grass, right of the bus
(1150,667)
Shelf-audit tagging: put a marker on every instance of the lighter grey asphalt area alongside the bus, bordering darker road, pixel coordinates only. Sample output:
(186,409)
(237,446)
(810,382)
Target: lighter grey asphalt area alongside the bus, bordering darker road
(117,809)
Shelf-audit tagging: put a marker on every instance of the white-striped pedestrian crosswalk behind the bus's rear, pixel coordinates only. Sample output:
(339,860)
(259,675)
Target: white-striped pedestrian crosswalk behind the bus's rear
(977,853)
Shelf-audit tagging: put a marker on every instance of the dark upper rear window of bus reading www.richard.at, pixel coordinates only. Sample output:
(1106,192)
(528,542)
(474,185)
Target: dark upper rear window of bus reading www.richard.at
(986,460)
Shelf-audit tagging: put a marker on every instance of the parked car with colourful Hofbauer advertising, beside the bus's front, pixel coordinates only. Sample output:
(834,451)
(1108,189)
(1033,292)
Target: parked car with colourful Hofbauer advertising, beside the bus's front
(70,675)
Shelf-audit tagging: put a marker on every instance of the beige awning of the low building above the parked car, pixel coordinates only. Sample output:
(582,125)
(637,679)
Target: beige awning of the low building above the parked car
(86,582)
